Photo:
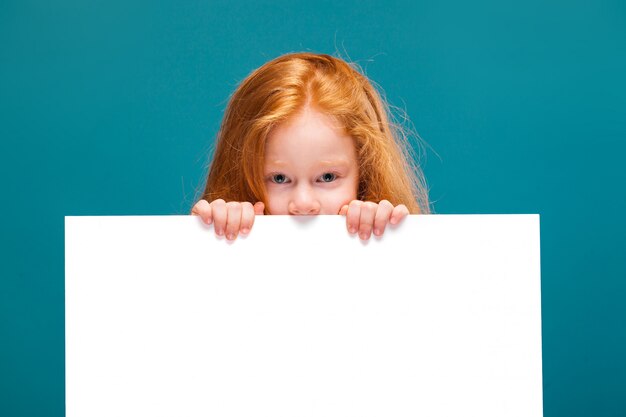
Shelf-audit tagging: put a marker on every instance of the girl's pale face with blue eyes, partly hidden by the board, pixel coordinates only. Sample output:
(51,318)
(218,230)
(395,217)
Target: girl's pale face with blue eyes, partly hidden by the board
(310,166)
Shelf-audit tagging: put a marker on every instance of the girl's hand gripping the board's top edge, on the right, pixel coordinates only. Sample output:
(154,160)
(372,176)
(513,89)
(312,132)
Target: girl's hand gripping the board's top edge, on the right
(365,216)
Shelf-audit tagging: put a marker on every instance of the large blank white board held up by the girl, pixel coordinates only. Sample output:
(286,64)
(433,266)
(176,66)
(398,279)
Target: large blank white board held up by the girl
(439,317)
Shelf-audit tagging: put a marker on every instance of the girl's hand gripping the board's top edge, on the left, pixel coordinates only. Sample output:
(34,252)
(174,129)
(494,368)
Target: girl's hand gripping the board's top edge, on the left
(228,219)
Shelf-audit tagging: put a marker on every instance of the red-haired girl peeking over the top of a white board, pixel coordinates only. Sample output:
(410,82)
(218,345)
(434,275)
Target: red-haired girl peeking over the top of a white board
(308,134)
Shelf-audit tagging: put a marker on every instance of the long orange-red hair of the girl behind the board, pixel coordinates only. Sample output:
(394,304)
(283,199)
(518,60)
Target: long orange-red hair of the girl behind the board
(280,88)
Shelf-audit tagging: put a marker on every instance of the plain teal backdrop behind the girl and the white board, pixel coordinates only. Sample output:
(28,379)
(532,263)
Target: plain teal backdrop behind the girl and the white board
(110,107)
